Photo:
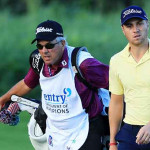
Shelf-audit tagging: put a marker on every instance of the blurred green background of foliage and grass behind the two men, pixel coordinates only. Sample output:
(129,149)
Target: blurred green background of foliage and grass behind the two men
(91,23)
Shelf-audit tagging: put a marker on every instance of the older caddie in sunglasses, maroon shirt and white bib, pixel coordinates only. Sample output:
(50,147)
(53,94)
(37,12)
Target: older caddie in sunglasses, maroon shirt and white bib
(65,98)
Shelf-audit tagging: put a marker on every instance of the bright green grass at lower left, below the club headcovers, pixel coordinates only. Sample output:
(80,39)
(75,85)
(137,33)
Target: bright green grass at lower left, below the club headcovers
(16,137)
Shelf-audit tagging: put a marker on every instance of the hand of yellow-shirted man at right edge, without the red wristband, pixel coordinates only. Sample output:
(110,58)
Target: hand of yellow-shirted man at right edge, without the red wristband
(143,136)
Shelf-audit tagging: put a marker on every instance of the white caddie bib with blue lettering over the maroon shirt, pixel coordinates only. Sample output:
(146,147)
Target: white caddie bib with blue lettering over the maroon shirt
(67,123)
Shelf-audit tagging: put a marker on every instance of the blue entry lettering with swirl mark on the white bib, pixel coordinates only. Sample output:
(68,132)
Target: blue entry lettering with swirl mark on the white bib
(58,99)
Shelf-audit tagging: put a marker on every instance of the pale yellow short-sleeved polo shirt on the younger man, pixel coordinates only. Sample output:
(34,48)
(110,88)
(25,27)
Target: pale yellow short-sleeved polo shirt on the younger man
(132,79)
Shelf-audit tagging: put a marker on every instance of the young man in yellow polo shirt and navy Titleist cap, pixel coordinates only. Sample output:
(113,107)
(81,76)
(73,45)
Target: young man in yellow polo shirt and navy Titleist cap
(130,83)
